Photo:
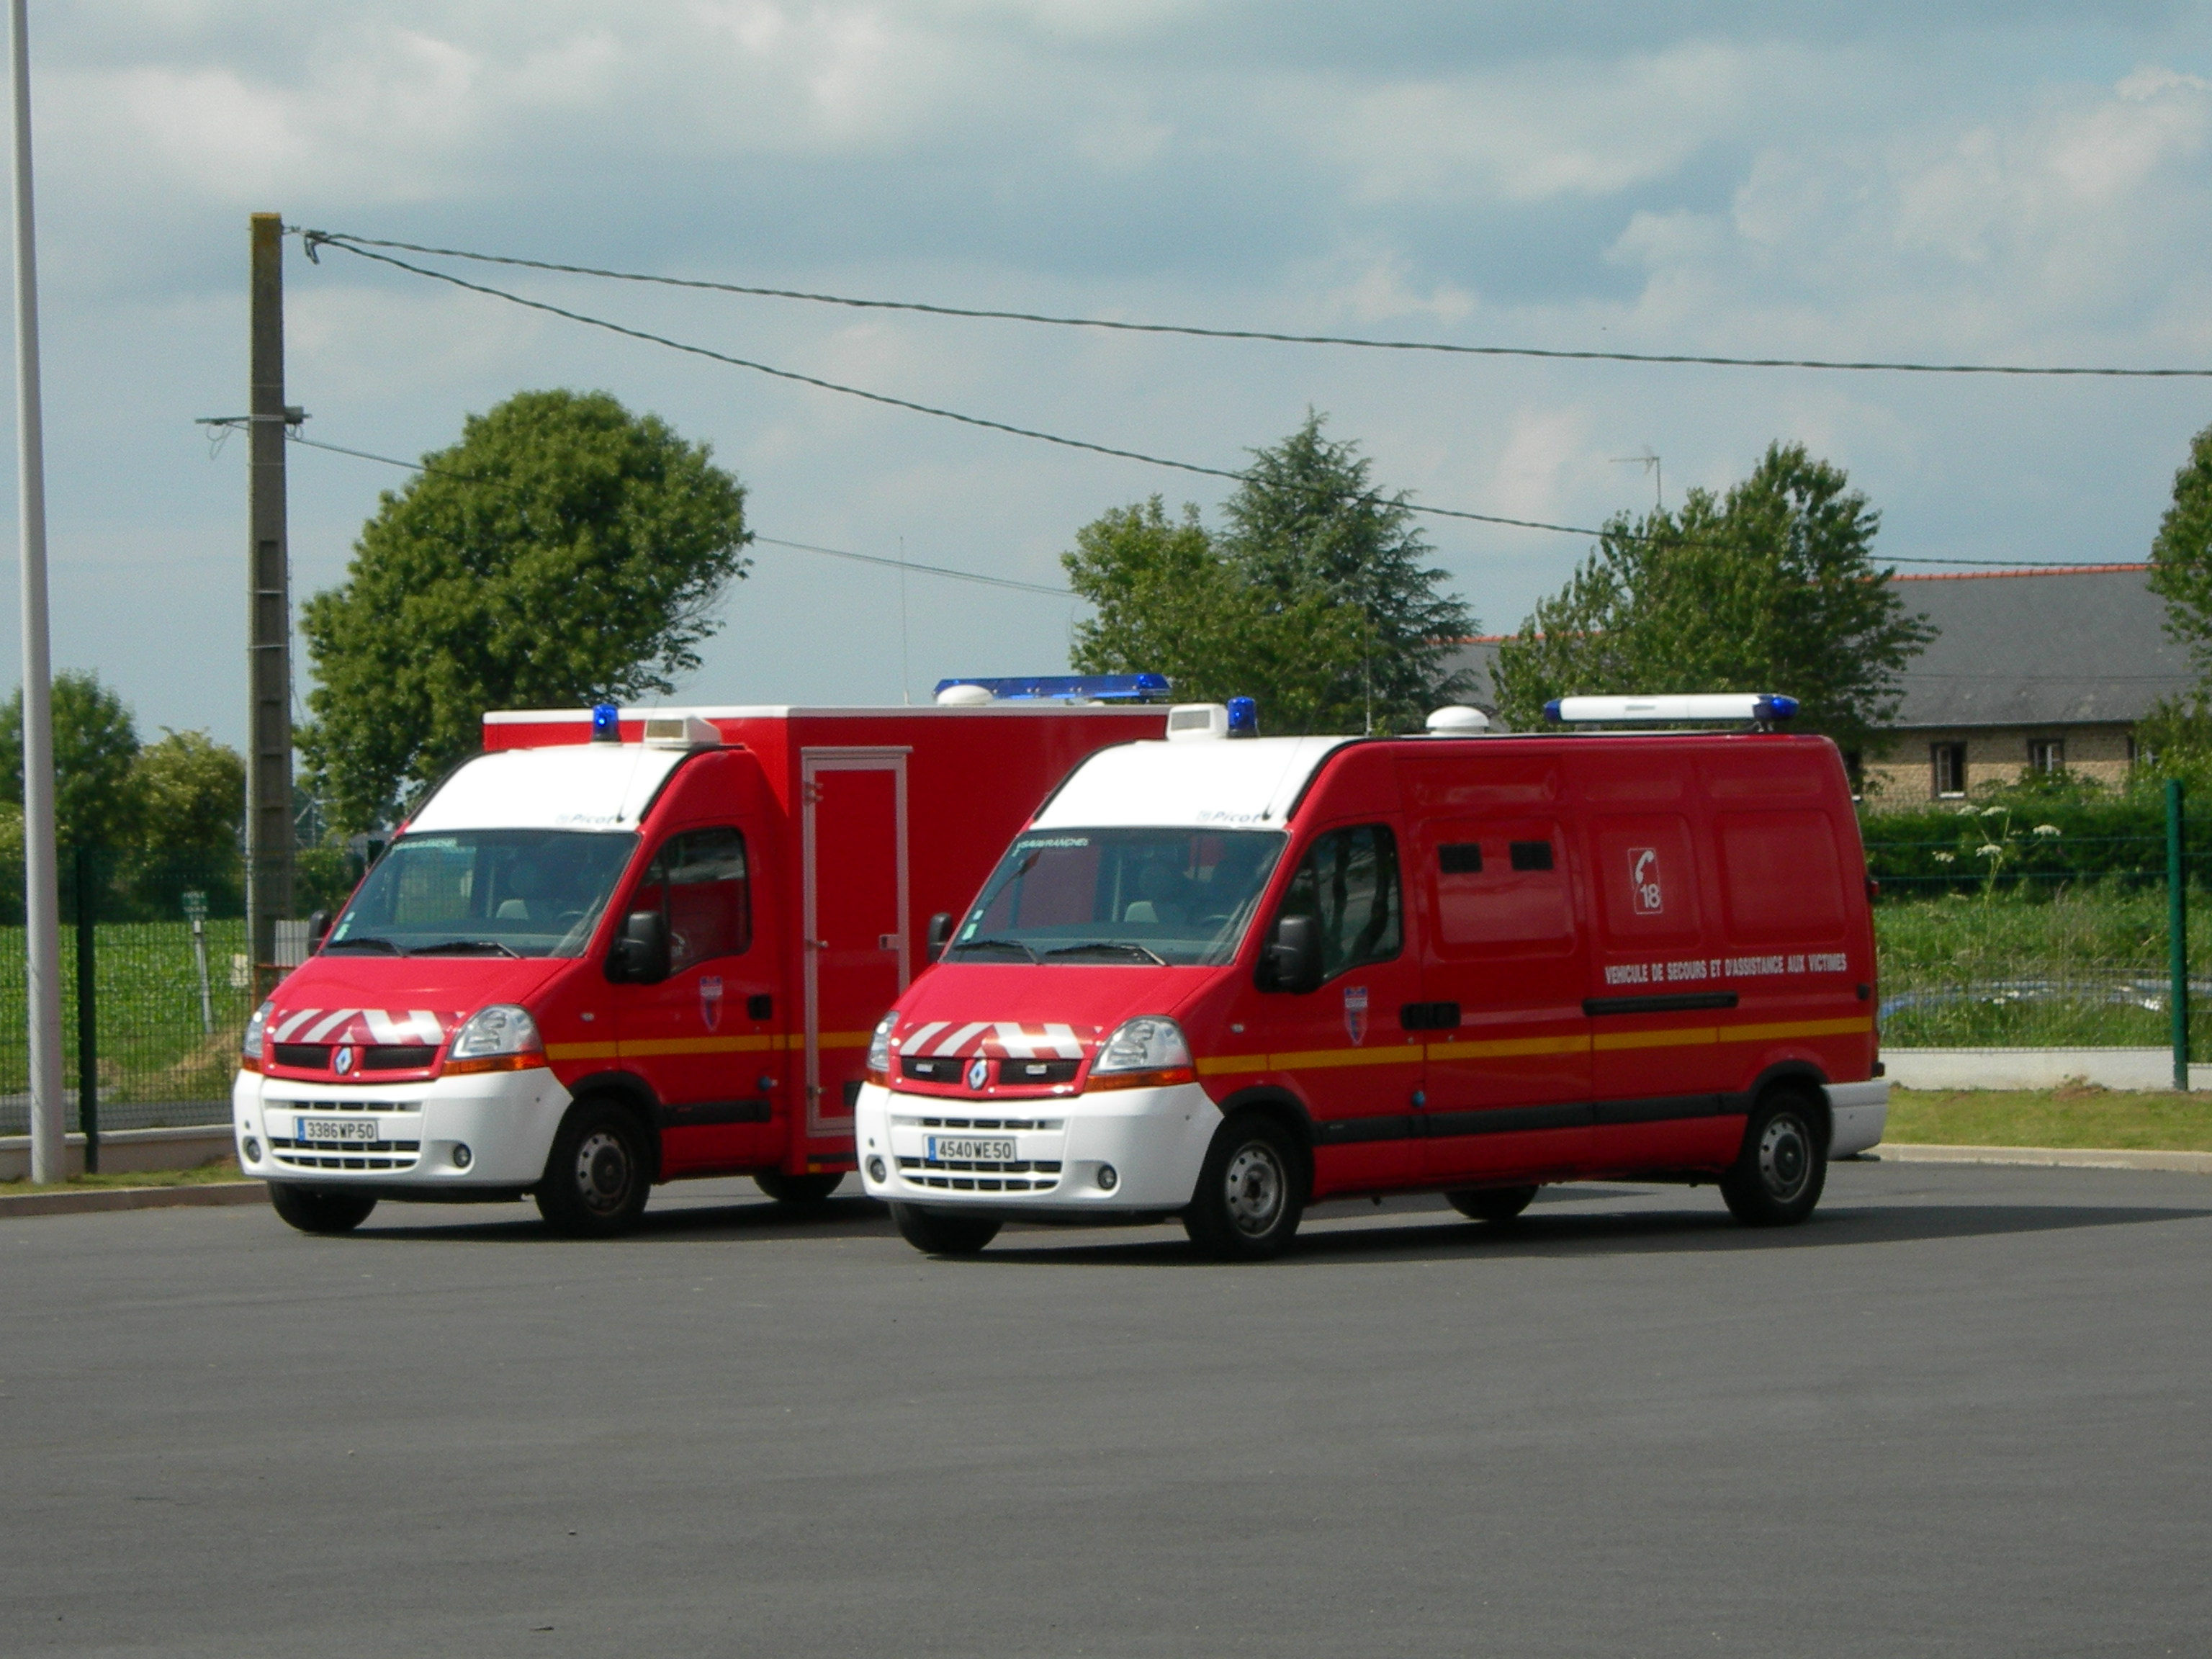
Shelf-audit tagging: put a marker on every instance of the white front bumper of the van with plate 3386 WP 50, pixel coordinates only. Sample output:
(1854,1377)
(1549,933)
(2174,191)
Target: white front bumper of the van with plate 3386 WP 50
(415,1131)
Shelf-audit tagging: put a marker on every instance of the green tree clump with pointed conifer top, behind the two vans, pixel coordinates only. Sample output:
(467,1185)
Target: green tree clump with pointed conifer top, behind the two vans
(1313,601)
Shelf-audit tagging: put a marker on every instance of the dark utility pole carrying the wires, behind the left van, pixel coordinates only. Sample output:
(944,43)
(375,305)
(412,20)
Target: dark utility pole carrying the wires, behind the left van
(269,632)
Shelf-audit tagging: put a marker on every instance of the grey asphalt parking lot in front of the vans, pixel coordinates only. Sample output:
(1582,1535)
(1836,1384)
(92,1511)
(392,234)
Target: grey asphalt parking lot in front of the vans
(1963,1412)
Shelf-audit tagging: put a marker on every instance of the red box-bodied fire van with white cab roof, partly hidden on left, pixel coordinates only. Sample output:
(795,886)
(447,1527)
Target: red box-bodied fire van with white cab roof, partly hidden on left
(640,946)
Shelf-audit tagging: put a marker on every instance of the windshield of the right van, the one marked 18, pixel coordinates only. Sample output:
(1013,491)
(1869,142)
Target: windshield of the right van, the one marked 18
(1178,897)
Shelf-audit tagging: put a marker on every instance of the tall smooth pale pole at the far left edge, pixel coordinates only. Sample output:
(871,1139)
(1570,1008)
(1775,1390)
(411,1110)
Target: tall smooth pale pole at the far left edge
(41,890)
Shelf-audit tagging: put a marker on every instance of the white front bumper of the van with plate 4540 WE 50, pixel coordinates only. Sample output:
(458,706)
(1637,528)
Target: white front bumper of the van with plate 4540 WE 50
(1151,1138)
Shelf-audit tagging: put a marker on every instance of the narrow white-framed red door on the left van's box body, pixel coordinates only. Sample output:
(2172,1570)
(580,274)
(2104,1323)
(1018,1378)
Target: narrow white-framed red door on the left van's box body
(855,895)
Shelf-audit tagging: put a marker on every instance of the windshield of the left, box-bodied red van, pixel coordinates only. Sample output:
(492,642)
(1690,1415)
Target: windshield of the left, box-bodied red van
(486,893)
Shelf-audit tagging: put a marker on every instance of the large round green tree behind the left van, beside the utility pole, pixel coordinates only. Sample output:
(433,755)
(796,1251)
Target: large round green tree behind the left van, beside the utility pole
(563,552)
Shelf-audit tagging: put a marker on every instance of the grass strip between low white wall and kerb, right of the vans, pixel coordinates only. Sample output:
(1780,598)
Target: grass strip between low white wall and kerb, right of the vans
(2069,1116)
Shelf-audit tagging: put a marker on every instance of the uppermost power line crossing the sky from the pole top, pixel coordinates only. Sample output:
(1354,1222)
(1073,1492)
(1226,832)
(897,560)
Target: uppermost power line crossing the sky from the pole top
(1848,366)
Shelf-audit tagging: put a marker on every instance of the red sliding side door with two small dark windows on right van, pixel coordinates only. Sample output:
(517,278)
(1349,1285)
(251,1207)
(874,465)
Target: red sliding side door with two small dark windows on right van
(1510,1085)
